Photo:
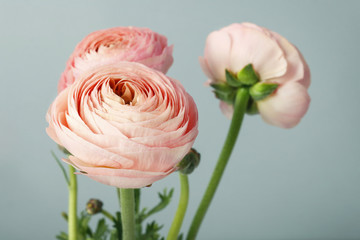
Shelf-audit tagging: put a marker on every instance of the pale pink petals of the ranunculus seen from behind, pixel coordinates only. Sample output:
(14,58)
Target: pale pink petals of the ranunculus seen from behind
(274,59)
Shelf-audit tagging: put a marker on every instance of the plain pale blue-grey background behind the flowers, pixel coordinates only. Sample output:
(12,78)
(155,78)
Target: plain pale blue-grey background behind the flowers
(301,183)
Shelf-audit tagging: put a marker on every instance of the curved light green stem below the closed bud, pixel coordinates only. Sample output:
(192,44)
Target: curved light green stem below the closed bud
(180,212)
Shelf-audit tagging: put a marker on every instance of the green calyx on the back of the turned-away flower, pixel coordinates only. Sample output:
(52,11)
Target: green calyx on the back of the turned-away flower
(248,79)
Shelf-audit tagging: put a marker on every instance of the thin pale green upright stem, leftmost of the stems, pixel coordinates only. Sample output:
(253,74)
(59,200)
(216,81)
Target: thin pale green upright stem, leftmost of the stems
(72,218)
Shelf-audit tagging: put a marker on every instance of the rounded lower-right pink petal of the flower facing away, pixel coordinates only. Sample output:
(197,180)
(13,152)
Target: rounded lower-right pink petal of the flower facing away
(286,107)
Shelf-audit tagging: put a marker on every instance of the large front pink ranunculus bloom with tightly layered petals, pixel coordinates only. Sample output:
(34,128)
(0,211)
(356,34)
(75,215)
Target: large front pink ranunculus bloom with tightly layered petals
(125,124)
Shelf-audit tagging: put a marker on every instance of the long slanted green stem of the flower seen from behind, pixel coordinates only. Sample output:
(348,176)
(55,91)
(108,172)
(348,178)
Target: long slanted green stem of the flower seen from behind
(241,101)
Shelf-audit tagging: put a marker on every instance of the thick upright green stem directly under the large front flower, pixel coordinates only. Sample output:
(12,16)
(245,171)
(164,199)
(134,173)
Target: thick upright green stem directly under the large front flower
(127,213)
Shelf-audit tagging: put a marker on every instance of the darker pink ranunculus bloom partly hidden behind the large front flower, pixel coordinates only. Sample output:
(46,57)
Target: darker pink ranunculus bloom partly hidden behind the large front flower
(116,44)
